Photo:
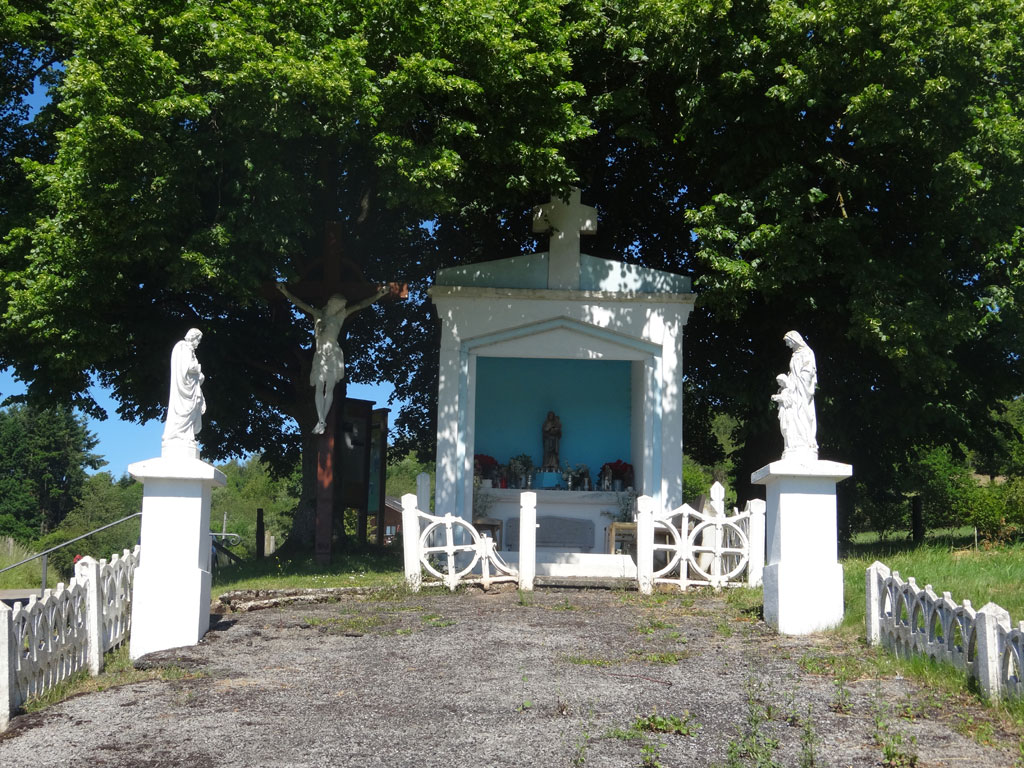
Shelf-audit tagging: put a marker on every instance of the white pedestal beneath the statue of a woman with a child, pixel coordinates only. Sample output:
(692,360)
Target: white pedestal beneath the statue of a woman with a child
(803,581)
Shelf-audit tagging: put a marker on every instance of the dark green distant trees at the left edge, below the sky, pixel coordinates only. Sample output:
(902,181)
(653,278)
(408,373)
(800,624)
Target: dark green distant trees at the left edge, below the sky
(45,454)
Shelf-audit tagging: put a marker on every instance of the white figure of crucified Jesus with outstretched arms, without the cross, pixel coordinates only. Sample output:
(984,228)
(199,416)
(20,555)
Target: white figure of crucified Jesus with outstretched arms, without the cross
(329,363)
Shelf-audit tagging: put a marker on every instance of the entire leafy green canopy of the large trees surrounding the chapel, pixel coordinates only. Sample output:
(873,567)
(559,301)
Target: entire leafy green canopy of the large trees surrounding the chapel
(848,169)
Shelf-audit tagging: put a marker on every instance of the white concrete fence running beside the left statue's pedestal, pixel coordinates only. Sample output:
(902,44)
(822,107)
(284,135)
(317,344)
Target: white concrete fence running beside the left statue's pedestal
(48,641)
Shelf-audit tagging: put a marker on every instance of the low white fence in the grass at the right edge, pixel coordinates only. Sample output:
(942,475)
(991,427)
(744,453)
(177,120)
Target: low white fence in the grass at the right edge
(909,620)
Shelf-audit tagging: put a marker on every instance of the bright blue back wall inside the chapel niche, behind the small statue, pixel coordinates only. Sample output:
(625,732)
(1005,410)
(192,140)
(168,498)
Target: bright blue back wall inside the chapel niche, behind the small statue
(591,398)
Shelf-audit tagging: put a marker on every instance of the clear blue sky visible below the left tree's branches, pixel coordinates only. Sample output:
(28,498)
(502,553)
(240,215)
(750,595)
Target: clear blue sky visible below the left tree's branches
(122,443)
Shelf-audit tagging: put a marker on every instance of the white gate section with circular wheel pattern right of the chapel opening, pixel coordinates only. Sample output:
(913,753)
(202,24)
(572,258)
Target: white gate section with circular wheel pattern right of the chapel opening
(688,548)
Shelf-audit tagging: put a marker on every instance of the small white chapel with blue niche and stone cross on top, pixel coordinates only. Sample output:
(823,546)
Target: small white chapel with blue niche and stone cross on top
(598,343)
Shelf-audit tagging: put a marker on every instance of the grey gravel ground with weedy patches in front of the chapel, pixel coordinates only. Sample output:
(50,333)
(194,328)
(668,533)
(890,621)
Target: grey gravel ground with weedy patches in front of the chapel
(557,678)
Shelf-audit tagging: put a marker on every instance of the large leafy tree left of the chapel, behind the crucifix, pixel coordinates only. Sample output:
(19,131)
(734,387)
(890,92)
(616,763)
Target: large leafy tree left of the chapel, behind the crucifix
(207,149)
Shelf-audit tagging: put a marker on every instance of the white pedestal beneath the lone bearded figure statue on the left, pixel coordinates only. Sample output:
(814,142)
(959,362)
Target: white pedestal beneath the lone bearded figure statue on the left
(172,594)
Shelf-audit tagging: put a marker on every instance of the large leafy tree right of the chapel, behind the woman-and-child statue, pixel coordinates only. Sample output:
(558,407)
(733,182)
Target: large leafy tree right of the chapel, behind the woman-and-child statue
(848,169)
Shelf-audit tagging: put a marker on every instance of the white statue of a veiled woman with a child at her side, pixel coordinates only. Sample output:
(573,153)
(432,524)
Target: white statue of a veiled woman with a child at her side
(796,402)
